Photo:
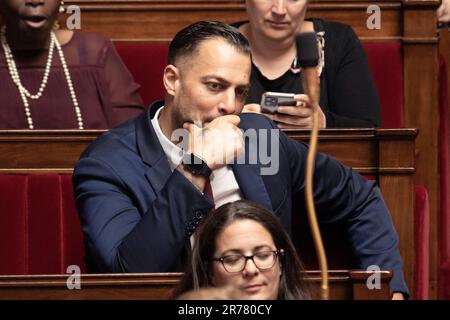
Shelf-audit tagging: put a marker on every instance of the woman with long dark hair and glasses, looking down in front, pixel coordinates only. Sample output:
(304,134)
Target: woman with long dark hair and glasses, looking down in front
(243,248)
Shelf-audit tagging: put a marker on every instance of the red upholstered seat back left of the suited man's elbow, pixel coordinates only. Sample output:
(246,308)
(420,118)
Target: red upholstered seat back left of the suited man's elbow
(39,225)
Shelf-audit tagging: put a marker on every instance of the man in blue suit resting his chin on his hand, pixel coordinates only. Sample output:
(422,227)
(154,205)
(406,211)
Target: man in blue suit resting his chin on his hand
(142,188)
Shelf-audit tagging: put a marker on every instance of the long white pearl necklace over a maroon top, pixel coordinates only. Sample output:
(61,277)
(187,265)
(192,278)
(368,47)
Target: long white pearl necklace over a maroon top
(24,93)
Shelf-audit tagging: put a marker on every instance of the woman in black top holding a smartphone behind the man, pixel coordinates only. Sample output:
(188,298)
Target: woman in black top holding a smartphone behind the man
(348,94)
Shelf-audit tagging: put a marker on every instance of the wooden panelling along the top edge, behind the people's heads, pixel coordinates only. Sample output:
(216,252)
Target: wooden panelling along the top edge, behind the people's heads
(131,20)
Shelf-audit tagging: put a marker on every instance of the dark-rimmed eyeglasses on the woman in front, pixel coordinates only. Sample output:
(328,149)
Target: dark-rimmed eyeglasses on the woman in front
(236,262)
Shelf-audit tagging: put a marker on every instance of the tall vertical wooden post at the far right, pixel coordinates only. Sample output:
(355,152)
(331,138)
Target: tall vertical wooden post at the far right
(421,104)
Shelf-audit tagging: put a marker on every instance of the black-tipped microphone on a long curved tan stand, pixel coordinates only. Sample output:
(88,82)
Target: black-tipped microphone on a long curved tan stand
(308,57)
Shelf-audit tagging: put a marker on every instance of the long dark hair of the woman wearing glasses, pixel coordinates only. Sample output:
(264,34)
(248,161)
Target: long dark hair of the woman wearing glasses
(198,273)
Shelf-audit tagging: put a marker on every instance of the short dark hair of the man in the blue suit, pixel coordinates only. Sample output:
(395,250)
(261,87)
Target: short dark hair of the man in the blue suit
(188,39)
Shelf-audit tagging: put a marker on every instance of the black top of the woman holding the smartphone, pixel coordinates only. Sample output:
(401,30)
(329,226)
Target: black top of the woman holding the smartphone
(348,96)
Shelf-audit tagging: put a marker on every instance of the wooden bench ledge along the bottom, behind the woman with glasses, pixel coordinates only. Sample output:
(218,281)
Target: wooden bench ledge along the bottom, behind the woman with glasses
(344,285)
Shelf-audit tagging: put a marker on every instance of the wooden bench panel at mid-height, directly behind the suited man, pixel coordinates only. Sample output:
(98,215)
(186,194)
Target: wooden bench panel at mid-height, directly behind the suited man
(60,149)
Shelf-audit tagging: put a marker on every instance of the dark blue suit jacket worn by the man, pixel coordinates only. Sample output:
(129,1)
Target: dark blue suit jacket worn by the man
(137,214)
